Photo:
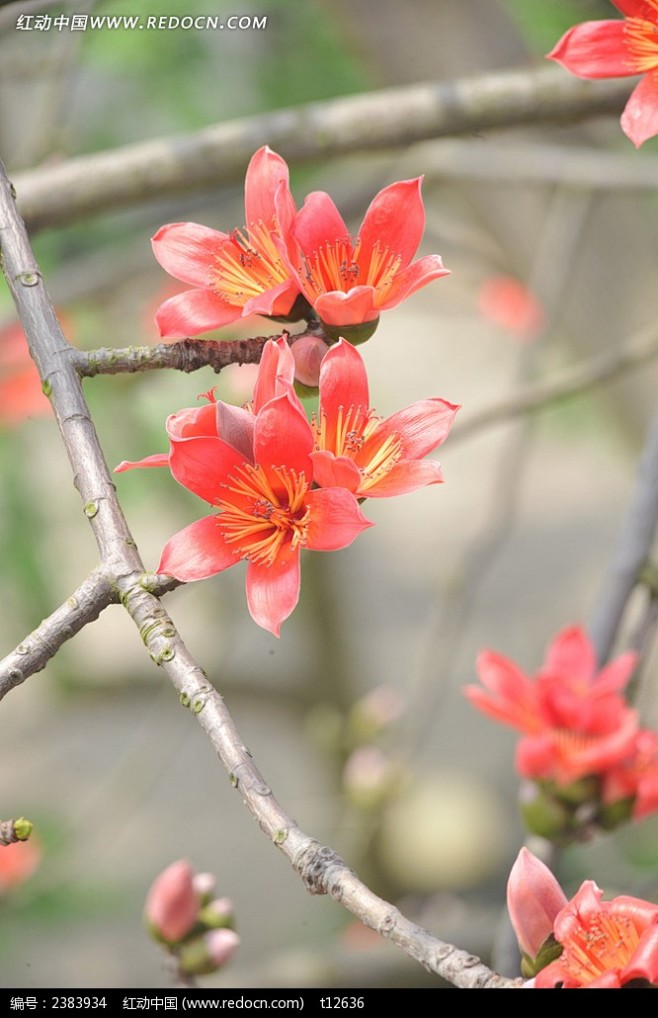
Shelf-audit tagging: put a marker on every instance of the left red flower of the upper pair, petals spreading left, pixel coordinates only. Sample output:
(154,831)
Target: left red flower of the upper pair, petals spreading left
(233,274)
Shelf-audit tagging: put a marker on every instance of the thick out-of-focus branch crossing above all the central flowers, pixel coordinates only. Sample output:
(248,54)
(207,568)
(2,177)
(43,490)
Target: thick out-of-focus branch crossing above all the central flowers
(218,155)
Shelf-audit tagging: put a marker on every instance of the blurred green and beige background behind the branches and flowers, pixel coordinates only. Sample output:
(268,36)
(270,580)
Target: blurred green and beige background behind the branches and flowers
(416,793)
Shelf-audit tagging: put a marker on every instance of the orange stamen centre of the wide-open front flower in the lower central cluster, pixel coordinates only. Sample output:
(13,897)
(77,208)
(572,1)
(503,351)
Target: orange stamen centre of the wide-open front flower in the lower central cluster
(264,518)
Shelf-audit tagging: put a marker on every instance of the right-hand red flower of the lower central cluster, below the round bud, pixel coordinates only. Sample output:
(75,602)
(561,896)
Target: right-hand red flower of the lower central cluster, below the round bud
(362,453)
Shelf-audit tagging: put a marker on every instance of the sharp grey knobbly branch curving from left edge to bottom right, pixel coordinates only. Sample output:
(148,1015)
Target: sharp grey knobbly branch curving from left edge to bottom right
(320,869)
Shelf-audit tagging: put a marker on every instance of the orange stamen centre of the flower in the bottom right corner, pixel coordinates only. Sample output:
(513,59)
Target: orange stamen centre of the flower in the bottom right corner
(607,943)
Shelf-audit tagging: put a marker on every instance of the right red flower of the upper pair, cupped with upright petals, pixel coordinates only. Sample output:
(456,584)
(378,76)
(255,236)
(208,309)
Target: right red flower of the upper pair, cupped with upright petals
(349,282)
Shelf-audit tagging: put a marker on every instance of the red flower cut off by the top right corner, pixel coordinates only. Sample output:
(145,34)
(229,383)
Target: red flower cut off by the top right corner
(618,49)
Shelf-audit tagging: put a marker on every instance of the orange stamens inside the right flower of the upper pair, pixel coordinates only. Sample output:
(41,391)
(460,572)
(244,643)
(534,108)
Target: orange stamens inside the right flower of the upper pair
(340,266)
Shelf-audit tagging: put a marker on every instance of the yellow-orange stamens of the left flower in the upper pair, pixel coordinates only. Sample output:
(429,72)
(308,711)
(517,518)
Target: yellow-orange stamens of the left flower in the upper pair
(248,265)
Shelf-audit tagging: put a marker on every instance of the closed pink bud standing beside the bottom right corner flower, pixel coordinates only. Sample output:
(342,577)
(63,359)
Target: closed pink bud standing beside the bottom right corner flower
(534,899)
